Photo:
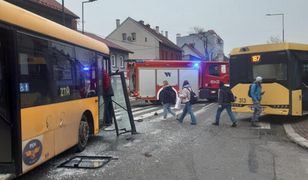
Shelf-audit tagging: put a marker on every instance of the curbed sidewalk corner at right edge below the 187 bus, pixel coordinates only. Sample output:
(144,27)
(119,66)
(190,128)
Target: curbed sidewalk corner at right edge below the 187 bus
(298,132)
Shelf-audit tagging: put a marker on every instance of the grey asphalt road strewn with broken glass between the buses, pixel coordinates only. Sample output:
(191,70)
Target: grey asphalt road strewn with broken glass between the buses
(168,150)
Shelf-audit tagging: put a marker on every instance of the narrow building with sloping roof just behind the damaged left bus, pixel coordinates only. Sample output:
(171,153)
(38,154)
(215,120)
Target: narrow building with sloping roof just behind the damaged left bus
(118,54)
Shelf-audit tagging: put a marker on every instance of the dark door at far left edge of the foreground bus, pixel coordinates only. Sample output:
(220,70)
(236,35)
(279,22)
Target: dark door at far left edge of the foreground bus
(5,119)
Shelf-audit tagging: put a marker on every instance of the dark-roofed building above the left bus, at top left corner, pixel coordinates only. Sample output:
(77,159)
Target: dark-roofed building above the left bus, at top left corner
(49,9)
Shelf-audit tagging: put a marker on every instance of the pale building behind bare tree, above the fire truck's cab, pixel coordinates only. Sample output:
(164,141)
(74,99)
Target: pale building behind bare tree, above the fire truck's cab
(209,44)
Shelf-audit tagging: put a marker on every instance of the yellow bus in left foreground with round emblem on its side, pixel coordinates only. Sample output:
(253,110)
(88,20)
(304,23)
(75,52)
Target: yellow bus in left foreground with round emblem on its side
(51,78)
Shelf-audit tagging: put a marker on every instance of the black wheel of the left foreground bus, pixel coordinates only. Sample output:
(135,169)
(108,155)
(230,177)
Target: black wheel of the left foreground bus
(83,134)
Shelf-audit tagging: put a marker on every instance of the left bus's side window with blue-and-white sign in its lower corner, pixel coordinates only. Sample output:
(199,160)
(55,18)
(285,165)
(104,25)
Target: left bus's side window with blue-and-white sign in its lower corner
(34,71)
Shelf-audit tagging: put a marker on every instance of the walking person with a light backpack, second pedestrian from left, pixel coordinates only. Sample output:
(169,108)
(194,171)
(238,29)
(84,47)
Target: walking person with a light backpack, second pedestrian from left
(185,97)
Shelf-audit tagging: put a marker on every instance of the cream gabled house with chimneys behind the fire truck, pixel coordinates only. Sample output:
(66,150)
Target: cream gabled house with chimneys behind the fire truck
(145,42)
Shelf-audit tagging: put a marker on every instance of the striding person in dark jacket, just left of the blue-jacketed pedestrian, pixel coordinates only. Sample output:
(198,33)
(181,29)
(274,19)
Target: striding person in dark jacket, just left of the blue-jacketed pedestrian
(225,97)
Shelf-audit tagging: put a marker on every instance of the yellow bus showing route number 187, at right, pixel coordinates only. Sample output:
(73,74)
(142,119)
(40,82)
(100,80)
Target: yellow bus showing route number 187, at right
(284,69)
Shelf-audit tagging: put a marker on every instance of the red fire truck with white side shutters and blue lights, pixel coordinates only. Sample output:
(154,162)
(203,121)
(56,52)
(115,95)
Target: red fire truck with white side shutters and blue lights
(145,77)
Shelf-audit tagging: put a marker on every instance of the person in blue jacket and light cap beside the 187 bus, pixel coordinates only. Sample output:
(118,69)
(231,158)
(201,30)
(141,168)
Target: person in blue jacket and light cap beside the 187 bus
(255,92)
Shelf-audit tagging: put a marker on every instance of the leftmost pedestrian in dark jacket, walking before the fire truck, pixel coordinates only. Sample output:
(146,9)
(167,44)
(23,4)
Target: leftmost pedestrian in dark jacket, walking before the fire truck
(167,97)
